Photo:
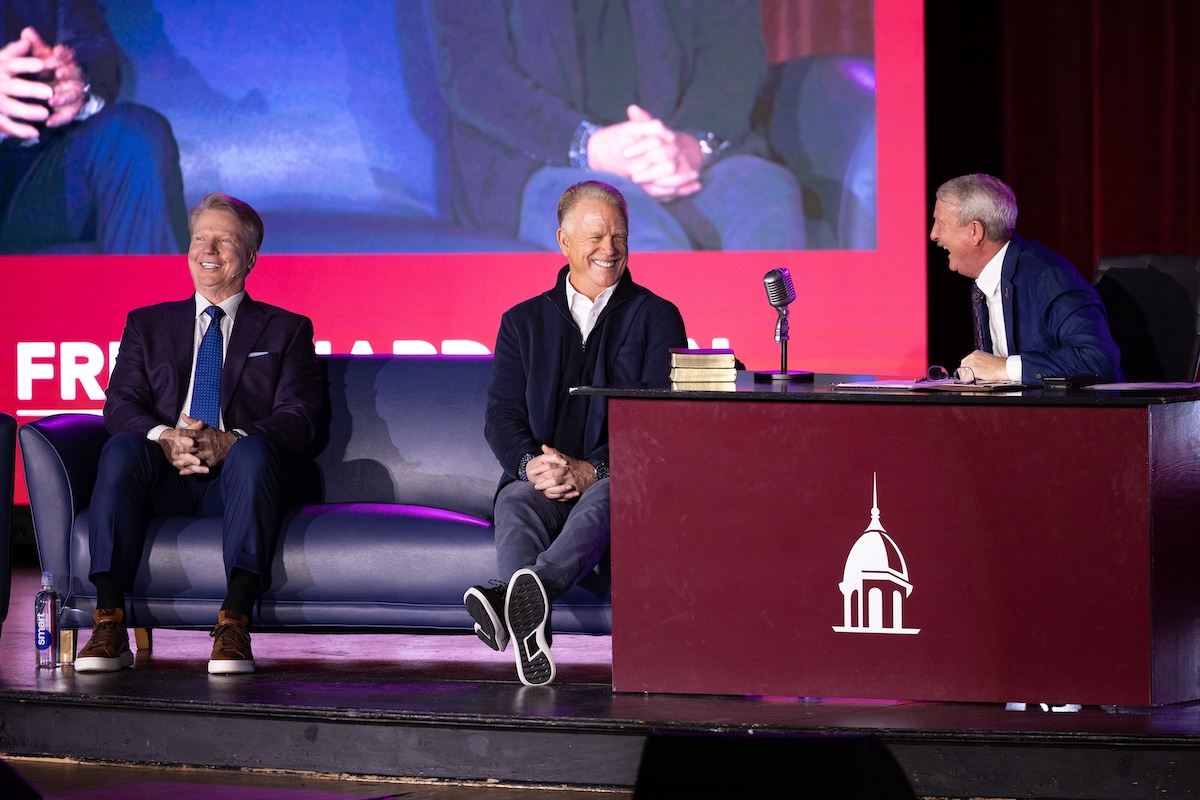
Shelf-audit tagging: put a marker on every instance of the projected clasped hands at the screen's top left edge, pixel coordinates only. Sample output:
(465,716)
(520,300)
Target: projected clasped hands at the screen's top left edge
(64,91)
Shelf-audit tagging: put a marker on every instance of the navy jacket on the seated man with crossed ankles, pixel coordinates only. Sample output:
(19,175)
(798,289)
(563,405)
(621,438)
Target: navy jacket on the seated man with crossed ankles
(632,340)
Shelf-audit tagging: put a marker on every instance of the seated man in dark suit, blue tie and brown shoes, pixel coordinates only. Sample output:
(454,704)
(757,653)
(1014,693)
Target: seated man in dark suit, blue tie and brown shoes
(209,400)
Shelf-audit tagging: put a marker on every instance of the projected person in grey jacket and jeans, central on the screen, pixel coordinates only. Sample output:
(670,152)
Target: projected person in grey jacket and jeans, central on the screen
(653,98)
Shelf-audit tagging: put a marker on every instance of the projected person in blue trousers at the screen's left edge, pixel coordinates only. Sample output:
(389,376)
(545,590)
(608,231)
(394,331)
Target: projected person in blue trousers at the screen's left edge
(77,170)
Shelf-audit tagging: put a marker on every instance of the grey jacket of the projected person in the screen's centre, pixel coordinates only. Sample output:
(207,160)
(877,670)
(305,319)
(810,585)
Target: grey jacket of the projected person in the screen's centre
(512,77)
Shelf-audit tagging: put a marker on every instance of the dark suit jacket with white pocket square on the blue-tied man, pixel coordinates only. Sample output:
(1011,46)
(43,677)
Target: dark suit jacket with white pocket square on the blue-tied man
(271,383)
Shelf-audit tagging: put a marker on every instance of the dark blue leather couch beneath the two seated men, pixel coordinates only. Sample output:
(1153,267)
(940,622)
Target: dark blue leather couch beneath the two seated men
(403,528)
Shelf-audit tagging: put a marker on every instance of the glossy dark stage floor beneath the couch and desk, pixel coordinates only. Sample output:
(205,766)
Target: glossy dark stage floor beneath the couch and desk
(448,708)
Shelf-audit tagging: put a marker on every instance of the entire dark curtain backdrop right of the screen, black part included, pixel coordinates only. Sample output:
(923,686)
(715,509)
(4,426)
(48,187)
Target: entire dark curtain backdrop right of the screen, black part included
(1089,109)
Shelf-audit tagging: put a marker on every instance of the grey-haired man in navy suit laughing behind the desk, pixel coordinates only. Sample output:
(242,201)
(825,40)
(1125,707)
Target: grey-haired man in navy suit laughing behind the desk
(1035,315)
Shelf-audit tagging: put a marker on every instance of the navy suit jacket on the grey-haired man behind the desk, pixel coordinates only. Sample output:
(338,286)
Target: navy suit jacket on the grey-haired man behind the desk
(1053,317)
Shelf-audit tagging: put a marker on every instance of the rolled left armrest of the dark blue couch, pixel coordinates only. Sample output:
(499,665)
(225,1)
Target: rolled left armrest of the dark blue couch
(61,455)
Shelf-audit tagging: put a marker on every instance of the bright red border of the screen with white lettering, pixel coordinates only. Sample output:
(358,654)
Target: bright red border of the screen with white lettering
(857,311)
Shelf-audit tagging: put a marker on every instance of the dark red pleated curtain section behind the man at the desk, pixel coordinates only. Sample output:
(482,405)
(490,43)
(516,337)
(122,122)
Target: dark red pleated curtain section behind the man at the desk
(1102,125)
